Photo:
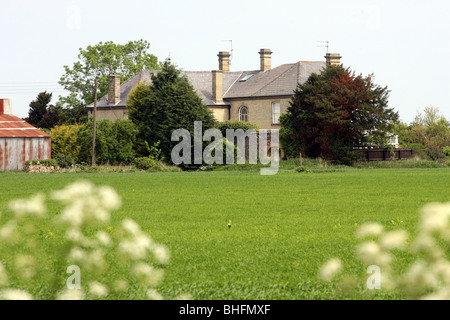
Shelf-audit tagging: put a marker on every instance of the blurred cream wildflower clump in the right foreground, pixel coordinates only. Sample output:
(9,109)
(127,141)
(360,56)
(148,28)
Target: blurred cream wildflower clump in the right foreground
(424,271)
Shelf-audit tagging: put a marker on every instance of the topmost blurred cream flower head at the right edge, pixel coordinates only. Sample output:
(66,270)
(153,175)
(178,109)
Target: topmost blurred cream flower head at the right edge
(435,217)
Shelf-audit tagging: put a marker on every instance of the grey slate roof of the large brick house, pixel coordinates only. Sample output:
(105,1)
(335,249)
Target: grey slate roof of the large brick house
(279,81)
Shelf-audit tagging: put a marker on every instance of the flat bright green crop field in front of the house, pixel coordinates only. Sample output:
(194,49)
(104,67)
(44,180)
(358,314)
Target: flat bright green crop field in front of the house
(284,227)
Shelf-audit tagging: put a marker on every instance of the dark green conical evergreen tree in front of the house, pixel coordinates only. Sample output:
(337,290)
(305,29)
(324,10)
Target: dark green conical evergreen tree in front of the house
(169,103)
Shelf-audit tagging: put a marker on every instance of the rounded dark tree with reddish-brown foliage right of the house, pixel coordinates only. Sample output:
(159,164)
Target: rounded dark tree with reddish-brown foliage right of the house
(334,111)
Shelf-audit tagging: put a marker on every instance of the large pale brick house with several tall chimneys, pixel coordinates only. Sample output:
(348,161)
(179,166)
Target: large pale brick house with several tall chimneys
(257,96)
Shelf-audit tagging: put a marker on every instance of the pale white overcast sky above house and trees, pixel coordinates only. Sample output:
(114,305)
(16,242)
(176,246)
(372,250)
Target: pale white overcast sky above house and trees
(405,44)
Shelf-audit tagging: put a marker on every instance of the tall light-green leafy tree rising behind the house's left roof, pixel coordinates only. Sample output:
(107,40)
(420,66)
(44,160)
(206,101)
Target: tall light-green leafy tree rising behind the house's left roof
(99,61)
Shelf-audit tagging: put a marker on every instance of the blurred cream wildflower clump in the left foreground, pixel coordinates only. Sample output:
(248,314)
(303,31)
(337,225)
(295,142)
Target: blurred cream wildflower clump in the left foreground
(76,254)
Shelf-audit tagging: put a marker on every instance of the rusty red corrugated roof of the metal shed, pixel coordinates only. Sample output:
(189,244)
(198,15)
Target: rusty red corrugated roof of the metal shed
(14,127)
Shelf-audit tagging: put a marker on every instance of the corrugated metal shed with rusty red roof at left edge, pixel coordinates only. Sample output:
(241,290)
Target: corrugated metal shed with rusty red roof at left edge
(20,141)
